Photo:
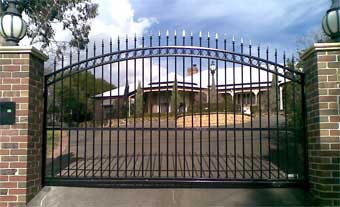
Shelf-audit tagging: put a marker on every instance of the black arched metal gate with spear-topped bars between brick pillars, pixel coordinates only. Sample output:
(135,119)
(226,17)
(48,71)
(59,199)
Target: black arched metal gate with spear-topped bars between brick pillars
(172,111)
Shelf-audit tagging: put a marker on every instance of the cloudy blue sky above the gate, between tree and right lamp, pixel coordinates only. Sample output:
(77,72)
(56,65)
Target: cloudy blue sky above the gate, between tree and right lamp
(273,23)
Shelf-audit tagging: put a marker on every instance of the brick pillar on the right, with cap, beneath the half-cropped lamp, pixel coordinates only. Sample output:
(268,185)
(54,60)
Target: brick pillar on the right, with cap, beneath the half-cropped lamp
(322,68)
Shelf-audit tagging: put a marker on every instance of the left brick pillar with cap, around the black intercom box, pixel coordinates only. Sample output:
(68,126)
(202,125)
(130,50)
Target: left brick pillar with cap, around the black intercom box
(21,81)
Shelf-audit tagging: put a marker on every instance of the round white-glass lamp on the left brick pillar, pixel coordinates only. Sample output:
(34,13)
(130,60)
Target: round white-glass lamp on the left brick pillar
(12,27)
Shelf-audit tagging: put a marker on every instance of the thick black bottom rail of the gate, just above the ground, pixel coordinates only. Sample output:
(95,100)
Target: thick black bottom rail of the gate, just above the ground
(177,183)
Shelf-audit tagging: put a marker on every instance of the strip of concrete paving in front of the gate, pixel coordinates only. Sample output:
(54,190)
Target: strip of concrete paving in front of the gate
(93,197)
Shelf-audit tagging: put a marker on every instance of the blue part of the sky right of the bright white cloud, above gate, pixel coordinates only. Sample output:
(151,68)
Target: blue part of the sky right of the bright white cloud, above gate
(271,23)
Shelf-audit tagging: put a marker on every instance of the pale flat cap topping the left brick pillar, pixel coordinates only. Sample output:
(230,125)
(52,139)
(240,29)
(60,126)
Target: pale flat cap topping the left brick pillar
(24,50)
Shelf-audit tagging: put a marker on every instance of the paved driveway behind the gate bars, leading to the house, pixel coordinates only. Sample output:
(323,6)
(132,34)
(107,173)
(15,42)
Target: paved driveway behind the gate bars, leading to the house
(246,151)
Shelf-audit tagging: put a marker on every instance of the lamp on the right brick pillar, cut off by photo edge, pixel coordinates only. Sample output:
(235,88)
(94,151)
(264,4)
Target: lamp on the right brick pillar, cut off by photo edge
(331,21)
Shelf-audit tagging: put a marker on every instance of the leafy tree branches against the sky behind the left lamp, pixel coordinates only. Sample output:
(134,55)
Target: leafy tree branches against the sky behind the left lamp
(74,15)
